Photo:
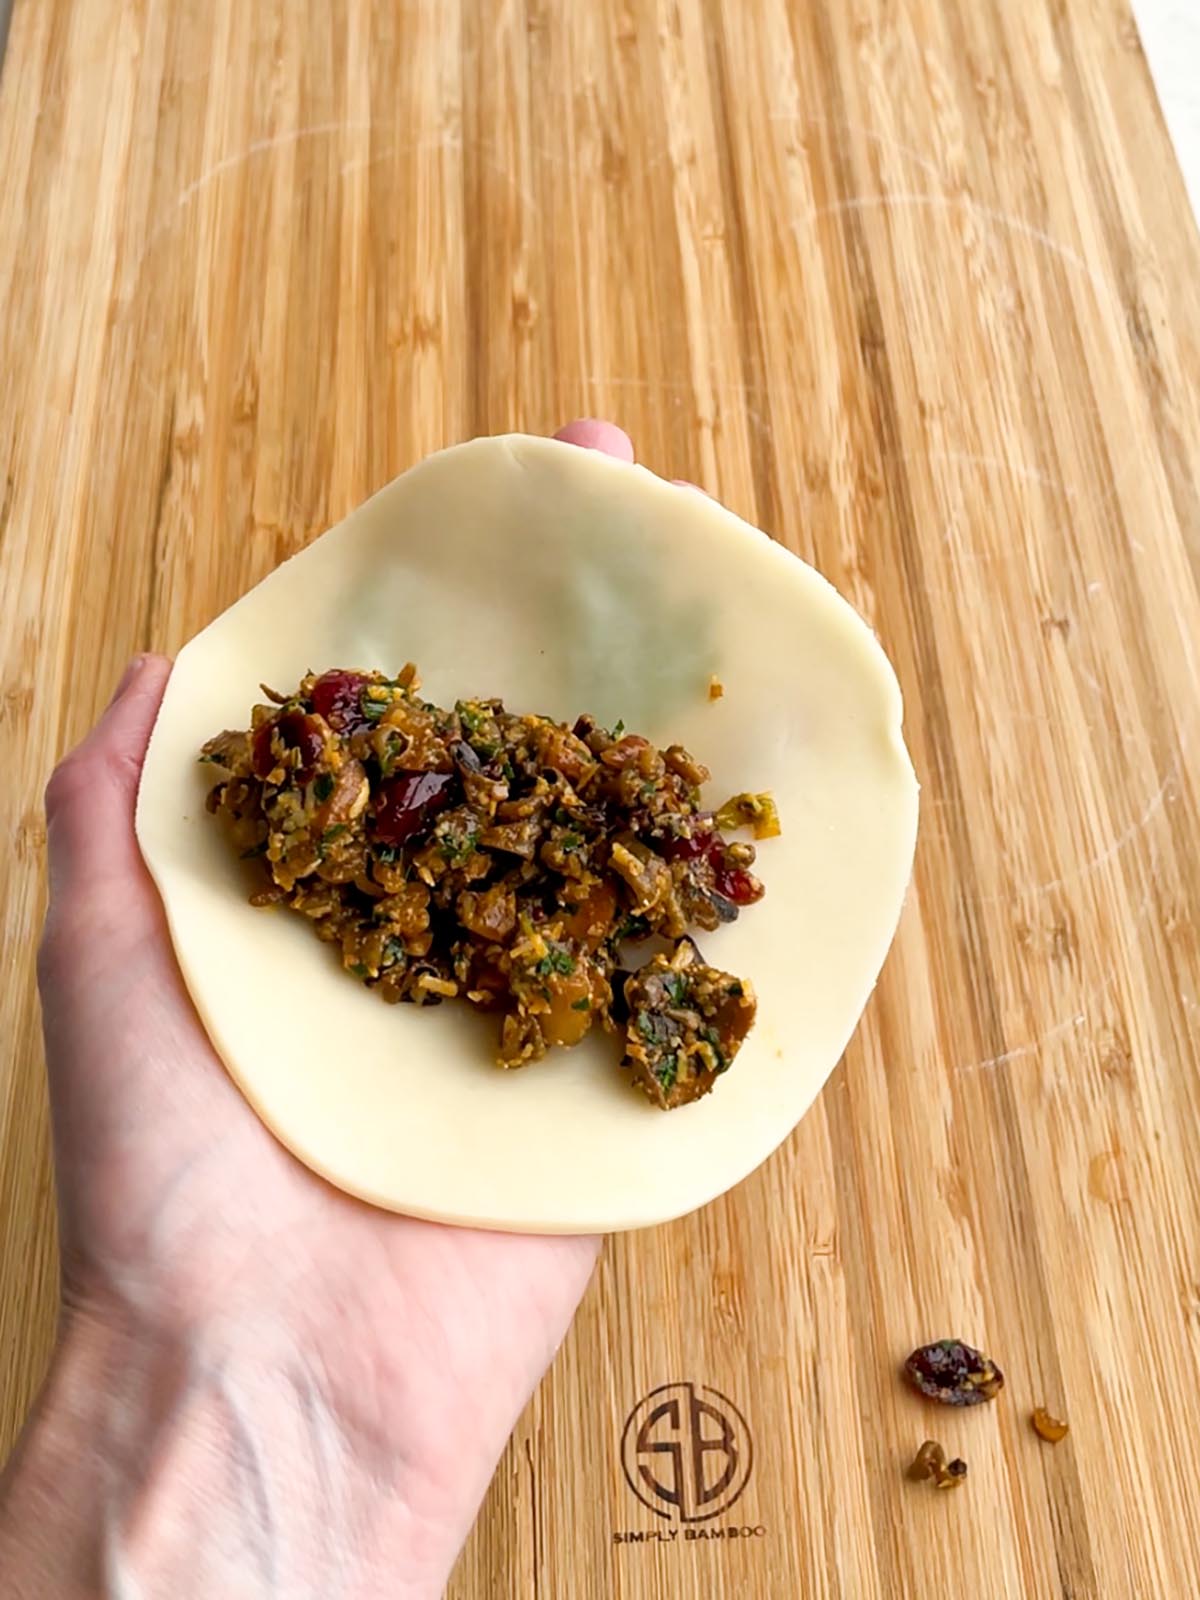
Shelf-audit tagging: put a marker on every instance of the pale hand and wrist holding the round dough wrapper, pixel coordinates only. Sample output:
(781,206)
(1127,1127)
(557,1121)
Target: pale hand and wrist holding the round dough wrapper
(262,1388)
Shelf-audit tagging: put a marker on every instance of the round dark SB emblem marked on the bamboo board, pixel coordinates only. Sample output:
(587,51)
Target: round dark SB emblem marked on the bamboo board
(687,1452)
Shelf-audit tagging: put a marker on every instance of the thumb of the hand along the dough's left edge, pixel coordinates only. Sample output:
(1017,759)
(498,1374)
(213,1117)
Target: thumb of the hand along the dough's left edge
(92,794)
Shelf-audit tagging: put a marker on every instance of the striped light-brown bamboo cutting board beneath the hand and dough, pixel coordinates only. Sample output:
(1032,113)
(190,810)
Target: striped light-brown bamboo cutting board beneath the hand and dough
(910,282)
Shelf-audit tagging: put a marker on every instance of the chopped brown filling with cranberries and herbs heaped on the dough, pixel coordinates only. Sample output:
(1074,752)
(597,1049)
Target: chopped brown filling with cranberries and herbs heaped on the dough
(502,860)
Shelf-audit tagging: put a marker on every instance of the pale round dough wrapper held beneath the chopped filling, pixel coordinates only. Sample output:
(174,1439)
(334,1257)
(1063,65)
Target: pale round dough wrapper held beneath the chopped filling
(564,582)
